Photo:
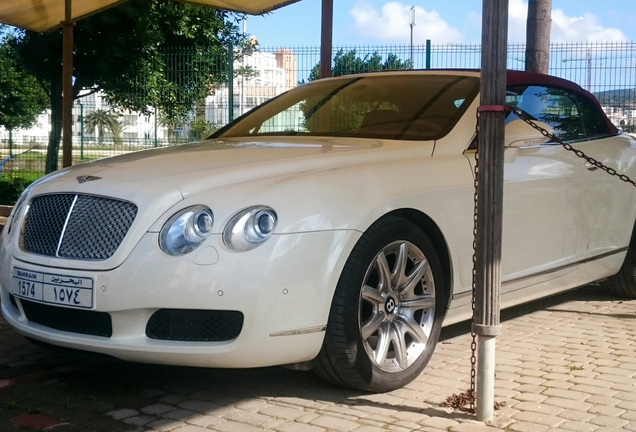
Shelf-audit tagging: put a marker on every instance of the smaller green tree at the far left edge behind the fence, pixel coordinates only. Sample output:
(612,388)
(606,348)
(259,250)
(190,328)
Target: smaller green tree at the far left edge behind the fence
(22,98)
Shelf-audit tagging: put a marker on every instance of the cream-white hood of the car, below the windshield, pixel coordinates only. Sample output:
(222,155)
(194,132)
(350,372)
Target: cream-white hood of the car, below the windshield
(189,168)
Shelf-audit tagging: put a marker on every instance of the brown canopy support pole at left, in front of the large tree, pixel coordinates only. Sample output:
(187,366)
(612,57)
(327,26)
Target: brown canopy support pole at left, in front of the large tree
(67,86)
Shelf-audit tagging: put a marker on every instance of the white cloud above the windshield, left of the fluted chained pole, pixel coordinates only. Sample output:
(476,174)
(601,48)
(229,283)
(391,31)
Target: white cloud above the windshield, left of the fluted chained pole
(392,24)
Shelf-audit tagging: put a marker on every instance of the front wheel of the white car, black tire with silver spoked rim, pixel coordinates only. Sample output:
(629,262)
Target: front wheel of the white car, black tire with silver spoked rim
(387,310)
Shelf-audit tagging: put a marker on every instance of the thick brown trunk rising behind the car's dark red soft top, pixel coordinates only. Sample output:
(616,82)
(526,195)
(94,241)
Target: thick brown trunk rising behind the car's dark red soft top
(538,35)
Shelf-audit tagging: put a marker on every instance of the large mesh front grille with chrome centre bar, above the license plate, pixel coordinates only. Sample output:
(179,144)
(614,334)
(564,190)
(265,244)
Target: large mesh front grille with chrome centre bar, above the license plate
(83,227)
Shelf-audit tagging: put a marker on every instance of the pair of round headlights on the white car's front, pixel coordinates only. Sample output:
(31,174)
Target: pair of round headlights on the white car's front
(189,228)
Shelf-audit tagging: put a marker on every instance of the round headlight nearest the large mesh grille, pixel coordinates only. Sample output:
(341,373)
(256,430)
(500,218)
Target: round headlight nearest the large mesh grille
(186,230)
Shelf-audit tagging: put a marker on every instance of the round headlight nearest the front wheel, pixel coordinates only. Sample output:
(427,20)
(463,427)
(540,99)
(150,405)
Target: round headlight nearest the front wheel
(249,228)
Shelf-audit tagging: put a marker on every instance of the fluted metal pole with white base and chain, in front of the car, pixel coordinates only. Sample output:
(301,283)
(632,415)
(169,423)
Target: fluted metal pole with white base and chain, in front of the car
(486,323)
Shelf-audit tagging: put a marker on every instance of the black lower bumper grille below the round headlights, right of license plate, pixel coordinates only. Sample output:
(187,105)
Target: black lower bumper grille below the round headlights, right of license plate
(194,325)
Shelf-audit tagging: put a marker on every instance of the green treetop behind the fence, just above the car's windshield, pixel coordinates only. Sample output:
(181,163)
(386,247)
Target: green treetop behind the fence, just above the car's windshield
(349,63)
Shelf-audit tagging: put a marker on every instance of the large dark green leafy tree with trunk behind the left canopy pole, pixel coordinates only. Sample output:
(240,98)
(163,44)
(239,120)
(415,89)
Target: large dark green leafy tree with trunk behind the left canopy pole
(124,52)
